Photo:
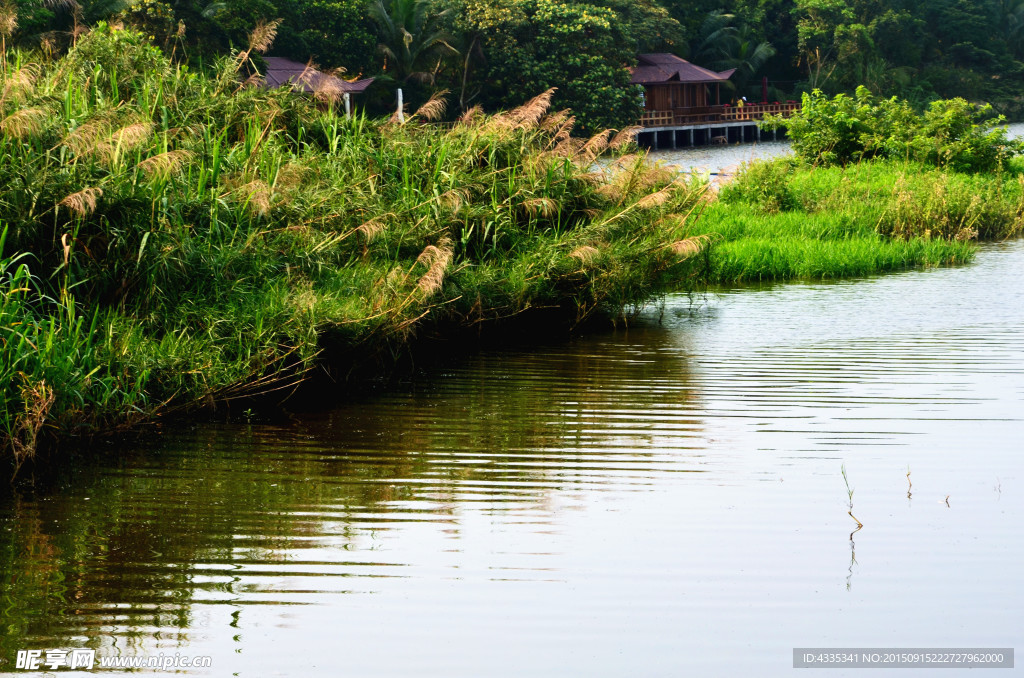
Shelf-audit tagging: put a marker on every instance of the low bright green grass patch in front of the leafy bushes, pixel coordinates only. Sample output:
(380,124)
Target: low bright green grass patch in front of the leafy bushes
(783,220)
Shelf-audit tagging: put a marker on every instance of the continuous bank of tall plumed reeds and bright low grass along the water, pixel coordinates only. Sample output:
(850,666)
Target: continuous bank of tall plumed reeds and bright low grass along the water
(174,240)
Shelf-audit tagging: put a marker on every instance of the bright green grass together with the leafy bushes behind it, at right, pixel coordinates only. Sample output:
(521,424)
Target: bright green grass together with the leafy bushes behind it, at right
(873,186)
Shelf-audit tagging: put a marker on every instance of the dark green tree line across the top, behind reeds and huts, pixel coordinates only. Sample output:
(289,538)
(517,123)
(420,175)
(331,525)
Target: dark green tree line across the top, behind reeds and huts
(496,54)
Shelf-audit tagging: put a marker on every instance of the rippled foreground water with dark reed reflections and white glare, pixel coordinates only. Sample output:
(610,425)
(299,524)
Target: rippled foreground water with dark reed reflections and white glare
(667,499)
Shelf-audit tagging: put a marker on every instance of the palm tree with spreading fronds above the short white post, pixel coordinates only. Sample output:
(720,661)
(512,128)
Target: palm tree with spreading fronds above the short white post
(410,38)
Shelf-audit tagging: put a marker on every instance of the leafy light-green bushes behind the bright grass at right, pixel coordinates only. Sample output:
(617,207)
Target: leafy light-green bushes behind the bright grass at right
(951,134)
